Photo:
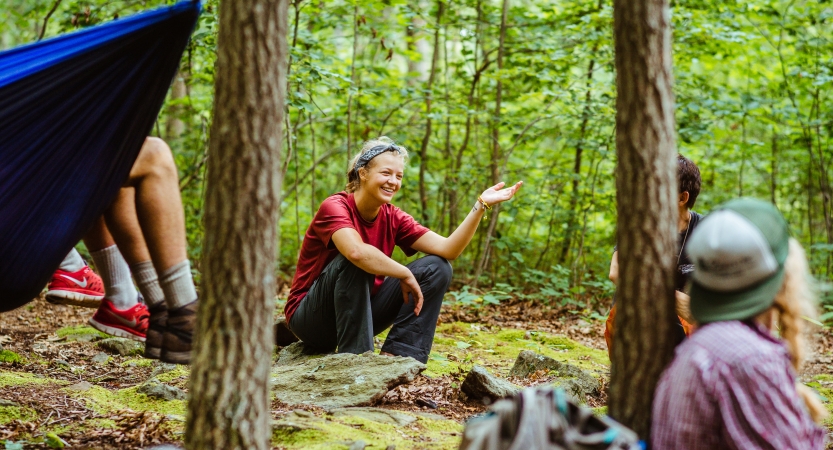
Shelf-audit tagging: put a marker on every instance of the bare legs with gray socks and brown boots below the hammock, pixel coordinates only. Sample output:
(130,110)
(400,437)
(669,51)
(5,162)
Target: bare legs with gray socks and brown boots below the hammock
(148,224)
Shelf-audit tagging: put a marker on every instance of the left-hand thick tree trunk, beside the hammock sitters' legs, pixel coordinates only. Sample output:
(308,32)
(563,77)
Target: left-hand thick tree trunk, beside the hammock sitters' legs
(229,386)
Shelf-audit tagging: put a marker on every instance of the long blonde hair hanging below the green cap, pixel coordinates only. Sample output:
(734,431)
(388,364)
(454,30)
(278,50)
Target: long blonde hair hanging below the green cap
(793,304)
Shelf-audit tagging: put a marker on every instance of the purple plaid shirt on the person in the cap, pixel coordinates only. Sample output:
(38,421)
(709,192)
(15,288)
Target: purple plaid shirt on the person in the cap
(731,385)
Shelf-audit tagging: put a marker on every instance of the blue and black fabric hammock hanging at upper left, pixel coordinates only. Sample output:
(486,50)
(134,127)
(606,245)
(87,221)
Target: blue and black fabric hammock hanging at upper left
(74,112)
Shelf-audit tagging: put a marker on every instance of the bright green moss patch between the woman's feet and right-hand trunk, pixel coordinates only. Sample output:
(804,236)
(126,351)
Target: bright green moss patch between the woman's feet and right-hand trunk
(468,345)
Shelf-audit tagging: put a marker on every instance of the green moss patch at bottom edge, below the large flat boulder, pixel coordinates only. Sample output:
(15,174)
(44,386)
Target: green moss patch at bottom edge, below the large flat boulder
(340,432)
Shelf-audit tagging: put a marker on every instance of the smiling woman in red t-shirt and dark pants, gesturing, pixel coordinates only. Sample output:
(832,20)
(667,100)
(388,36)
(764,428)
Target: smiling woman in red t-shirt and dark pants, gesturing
(347,288)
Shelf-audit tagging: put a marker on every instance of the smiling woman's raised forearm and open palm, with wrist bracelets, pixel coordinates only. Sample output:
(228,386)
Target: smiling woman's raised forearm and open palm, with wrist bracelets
(451,247)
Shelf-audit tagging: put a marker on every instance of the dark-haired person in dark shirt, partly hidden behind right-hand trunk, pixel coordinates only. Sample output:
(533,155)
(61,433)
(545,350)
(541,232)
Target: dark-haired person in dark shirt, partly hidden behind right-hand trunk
(688,188)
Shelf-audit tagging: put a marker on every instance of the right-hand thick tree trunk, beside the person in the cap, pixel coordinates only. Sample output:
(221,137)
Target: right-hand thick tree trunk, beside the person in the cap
(646,197)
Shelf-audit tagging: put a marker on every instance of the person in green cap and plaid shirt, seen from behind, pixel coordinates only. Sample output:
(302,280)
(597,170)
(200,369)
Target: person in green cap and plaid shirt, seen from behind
(732,384)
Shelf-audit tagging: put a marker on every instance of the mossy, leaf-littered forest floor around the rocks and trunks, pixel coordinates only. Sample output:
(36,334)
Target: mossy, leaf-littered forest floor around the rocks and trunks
(57,387)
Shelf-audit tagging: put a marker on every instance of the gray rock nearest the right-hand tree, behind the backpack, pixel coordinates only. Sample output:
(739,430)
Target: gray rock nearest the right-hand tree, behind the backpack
(575,381)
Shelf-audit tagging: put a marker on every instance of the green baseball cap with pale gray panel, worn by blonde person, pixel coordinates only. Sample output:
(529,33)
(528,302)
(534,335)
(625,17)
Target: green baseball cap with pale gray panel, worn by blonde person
(738,253)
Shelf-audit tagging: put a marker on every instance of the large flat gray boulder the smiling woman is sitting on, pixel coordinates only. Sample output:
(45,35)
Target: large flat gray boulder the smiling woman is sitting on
(341,380)
